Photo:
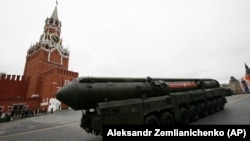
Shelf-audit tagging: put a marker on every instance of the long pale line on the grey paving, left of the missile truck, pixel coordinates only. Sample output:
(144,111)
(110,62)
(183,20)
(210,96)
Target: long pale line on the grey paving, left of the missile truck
(39,130)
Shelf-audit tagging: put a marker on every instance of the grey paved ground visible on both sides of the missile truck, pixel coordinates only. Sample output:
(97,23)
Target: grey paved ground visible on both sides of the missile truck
(64,125)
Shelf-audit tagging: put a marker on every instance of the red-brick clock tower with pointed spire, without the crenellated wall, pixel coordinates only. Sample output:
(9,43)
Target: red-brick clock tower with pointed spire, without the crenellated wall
(47,62)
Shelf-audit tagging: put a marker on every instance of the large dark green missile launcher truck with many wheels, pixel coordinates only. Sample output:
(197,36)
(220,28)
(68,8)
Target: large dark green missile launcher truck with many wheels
(141,100)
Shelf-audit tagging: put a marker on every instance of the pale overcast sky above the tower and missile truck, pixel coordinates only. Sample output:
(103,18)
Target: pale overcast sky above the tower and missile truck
(135,38)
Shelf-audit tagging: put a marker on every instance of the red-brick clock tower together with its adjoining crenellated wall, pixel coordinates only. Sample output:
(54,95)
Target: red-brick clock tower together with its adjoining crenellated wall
(45,71)
